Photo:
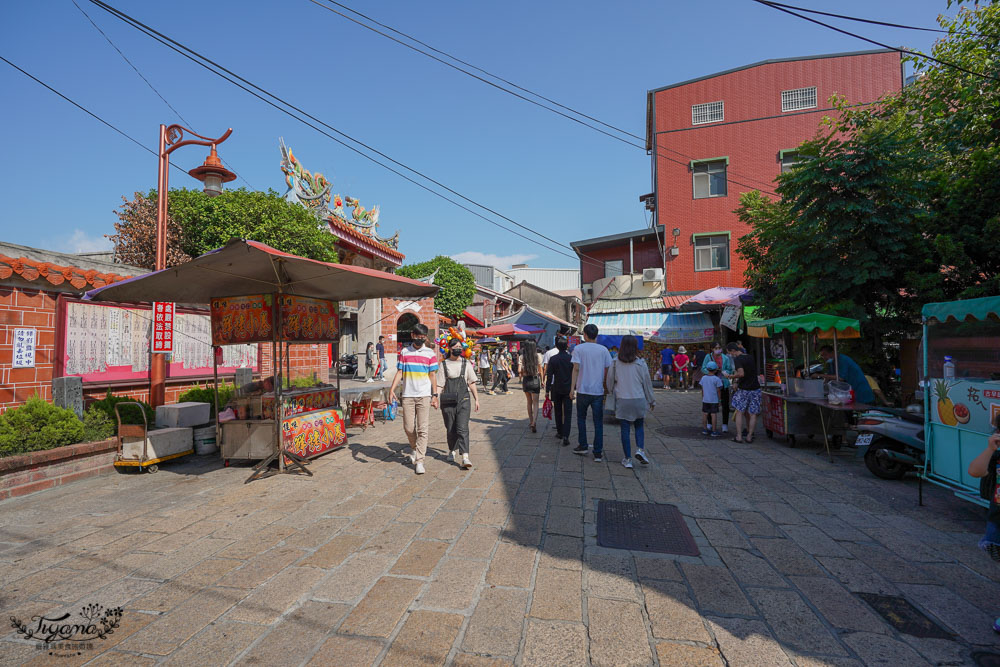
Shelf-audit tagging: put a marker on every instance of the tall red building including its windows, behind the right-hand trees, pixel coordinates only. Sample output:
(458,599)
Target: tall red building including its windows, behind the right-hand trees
(720,135)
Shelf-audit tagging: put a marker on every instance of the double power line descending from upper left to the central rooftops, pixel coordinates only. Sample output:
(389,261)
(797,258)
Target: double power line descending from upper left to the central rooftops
(246,85)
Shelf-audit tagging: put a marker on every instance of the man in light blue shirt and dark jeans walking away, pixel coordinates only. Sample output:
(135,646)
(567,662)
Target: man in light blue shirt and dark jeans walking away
(590,370)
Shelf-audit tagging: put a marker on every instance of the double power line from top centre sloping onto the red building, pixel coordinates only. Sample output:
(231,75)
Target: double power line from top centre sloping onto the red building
(521,88)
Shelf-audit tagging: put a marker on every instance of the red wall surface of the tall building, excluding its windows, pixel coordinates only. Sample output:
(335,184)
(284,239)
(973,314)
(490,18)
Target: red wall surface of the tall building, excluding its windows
(751,135)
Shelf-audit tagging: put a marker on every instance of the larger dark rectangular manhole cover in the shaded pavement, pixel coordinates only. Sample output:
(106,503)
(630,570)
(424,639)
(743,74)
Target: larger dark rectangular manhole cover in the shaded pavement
(643,527)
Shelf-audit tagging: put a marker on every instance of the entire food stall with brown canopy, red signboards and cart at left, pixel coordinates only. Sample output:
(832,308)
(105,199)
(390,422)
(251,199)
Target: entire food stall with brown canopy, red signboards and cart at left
(258,293)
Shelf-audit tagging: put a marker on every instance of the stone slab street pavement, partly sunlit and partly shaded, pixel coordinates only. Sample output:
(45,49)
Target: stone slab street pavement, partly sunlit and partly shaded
(367,563)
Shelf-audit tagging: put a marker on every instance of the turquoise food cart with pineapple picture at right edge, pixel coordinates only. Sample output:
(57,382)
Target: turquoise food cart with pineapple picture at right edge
(962,402)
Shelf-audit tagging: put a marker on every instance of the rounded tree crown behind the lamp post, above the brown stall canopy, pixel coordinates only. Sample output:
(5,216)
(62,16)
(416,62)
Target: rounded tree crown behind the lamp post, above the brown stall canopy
(197,223)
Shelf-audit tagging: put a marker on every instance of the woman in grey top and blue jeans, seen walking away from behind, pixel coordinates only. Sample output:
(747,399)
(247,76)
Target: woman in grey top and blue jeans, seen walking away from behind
(628,380)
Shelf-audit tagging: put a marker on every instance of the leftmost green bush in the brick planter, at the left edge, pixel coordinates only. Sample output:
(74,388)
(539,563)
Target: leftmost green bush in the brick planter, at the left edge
(38,425)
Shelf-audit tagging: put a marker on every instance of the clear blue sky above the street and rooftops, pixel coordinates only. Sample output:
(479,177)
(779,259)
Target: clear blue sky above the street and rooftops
(63,173)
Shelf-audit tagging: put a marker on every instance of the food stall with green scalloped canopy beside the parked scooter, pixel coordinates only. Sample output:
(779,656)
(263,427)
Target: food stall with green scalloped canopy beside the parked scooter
(792,407)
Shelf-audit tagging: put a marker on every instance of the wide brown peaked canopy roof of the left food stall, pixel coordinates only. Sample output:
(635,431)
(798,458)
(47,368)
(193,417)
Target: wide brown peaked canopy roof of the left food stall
(244,268)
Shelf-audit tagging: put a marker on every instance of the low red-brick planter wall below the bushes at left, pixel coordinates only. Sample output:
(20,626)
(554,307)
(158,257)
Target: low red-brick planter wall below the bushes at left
(36,471)
